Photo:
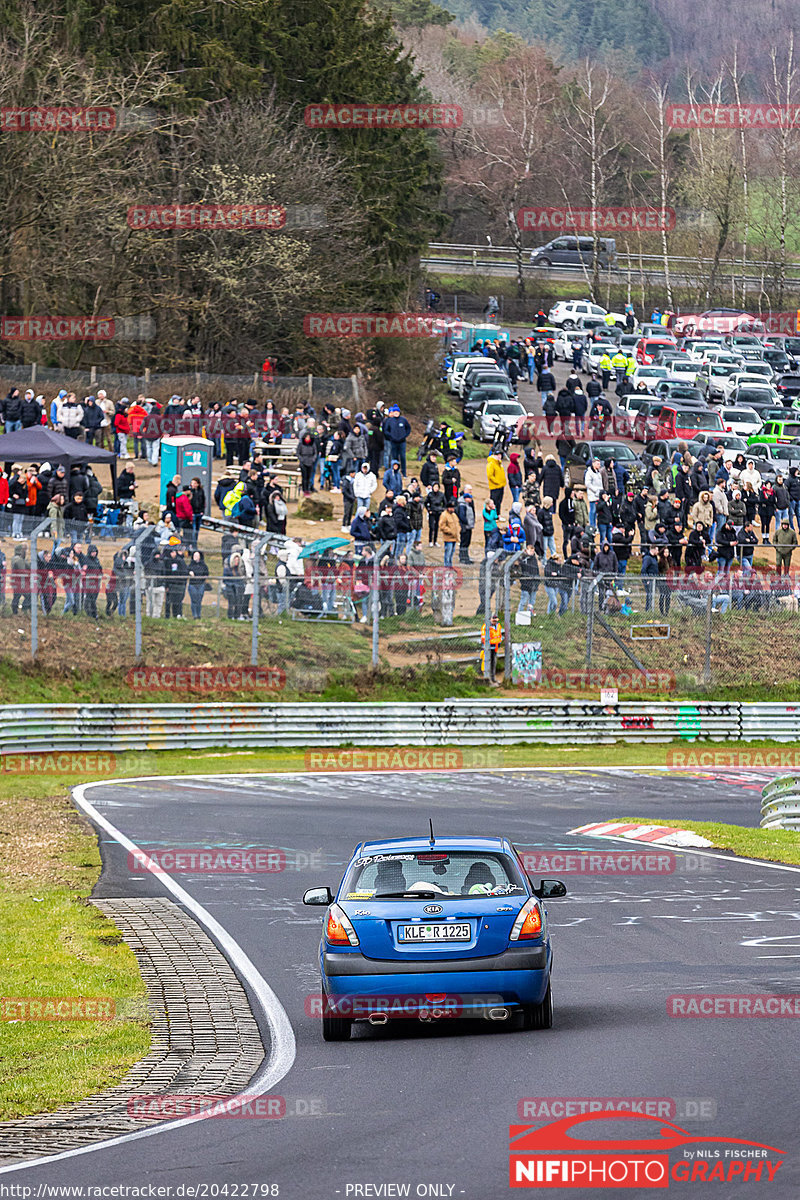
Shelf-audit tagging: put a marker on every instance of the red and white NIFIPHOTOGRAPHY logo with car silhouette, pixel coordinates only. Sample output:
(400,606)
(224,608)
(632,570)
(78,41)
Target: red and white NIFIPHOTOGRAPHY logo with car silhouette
(554,1156)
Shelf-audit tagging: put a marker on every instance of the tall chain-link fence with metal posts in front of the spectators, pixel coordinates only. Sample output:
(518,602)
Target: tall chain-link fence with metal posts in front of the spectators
(81,598)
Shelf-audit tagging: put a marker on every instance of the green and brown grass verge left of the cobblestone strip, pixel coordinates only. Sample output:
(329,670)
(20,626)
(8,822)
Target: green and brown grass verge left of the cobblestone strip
(55,944)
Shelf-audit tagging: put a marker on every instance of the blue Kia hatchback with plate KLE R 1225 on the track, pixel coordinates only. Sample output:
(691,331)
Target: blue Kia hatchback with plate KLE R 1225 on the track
(435,928)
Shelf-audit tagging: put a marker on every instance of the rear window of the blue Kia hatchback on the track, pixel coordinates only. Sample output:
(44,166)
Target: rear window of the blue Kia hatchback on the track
(448,873)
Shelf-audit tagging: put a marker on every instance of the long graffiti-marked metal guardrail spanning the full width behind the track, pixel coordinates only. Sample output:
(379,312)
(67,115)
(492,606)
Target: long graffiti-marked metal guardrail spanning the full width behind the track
(121,728)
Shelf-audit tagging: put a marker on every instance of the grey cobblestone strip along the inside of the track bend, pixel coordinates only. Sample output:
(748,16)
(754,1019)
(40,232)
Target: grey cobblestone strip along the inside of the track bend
(204,1036)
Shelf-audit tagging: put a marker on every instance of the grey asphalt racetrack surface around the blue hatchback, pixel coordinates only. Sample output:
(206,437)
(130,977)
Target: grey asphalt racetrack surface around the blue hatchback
(431,1106)
